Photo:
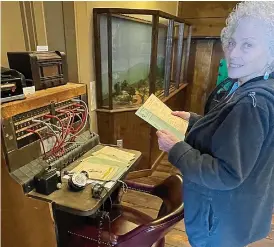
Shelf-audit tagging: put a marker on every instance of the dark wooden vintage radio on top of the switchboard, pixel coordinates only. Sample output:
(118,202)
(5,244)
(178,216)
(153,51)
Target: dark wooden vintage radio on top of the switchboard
(41,69)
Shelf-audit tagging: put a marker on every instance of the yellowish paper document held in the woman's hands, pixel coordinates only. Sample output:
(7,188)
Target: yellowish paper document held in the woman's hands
(157,114)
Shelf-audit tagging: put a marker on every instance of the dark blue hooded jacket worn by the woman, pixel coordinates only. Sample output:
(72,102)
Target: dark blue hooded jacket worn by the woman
(227,161)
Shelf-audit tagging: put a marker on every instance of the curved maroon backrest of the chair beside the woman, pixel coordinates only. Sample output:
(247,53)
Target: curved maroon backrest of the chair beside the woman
(171,212)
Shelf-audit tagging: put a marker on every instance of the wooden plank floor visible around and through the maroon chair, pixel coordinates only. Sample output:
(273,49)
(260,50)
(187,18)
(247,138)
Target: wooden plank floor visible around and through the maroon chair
(150,205)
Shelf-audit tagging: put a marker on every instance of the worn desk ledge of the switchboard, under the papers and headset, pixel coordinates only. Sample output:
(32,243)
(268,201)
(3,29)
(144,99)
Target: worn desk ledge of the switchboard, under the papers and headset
(81,203)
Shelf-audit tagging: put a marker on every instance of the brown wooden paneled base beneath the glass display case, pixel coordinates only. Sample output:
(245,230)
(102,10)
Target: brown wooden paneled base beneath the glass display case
(136,134)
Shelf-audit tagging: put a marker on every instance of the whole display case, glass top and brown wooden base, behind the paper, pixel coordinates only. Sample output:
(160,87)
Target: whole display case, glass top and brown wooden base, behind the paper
(137,53)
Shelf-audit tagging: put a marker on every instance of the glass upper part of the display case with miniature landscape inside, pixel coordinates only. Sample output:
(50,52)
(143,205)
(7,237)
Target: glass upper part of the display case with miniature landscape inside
(138,52)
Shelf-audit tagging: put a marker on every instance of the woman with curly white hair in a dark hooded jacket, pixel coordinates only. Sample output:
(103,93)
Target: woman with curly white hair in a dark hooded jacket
(227,158)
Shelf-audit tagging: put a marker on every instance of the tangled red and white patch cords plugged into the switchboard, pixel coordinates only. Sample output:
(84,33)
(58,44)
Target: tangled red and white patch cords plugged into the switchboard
(64,132)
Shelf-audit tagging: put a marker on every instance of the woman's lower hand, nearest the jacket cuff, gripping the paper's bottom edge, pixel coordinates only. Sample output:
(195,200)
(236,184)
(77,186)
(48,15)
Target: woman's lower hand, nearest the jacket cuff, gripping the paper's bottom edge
(166,140)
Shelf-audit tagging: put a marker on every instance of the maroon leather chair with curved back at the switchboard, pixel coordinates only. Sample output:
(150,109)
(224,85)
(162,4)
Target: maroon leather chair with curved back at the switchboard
(134,228)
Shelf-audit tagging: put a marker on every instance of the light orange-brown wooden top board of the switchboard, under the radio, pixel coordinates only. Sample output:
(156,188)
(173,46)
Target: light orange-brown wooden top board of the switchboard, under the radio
(41,98)
